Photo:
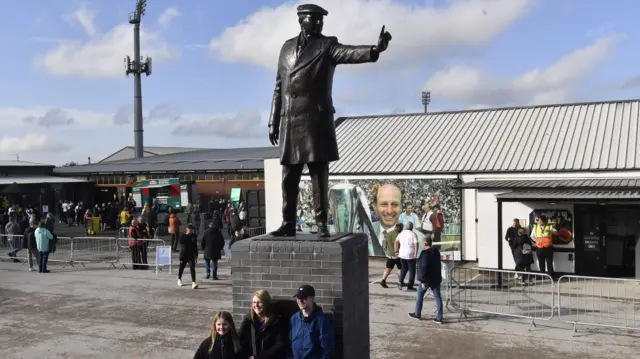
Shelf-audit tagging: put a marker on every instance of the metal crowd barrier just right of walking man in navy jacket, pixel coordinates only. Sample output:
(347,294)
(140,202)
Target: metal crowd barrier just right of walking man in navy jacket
(497,292)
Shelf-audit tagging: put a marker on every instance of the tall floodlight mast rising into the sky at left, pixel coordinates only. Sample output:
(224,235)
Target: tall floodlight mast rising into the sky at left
(138,66)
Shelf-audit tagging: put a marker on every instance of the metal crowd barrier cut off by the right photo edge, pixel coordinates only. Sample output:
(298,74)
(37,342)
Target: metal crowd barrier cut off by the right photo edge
(600,302)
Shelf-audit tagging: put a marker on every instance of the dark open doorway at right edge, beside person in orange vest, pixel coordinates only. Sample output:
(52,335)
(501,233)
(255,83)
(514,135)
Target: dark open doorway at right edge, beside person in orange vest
(606,237)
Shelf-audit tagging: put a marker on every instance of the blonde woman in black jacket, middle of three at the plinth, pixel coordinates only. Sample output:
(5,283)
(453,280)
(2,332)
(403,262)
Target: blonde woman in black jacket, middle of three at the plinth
(263,334)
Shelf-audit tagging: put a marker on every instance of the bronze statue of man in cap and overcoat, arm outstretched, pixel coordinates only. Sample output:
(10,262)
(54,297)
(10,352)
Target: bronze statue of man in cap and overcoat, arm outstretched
(302,111)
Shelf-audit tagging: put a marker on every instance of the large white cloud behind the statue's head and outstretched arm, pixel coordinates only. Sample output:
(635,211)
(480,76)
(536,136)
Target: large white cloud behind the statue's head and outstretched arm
(419,31)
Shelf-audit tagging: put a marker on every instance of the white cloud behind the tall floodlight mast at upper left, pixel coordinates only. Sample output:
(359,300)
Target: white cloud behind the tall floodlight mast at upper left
(101,56)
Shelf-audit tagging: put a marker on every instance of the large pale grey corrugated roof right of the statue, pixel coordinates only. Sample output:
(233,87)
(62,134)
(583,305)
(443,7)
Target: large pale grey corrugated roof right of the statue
(565,137)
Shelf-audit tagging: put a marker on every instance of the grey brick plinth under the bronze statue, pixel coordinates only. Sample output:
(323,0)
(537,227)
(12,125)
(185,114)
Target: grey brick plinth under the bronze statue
(336,267)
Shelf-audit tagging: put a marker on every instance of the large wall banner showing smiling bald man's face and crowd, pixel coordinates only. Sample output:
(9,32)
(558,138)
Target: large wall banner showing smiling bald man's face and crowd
(375,206)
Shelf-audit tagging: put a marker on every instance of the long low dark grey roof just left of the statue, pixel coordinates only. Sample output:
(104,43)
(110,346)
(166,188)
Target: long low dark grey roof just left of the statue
(213,160)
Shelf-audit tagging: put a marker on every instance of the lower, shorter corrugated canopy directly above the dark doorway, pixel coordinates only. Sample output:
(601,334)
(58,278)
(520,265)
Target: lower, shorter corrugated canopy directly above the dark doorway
(570,195)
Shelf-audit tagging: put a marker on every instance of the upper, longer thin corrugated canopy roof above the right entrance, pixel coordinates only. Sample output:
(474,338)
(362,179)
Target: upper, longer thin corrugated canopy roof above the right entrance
(551,184)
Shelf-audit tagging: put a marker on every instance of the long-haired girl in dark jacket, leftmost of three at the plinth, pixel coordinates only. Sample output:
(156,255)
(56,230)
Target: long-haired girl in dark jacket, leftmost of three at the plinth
(223,343)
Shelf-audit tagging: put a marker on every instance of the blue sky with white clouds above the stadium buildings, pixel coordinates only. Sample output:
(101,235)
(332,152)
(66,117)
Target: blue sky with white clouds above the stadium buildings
(64,95)
